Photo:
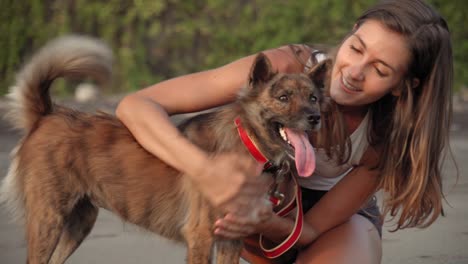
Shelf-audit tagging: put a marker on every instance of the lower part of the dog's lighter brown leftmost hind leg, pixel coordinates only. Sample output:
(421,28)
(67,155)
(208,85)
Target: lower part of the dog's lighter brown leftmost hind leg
(44,226)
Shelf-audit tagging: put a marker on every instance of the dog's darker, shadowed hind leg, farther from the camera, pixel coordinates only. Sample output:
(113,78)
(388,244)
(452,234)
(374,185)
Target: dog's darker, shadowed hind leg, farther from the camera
(78,226)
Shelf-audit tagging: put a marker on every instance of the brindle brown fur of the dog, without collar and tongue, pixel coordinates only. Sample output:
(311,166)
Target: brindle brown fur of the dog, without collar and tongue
(70,163)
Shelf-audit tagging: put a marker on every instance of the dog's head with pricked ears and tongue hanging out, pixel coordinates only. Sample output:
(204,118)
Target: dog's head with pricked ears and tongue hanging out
(282,109)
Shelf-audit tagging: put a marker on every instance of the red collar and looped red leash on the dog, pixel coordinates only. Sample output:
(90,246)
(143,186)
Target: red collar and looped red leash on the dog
(295,203)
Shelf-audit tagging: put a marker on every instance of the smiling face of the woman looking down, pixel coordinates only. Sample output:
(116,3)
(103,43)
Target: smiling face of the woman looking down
(369,64)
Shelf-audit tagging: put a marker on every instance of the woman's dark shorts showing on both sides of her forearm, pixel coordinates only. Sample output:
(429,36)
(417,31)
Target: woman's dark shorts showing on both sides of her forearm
(370,210)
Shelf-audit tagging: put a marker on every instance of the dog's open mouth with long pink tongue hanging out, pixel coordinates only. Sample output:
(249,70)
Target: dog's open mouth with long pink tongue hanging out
(304,155)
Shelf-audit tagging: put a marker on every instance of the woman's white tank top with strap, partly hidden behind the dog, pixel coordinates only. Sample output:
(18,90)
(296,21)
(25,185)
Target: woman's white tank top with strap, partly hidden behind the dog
(327,172)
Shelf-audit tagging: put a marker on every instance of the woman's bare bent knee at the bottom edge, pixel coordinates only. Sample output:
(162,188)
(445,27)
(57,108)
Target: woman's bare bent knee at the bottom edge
(356,241)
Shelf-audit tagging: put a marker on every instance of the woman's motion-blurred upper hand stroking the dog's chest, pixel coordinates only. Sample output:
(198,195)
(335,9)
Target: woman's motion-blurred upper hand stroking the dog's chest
(236,185)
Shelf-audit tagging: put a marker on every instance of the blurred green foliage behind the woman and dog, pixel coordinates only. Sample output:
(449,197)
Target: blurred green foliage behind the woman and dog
(158,39)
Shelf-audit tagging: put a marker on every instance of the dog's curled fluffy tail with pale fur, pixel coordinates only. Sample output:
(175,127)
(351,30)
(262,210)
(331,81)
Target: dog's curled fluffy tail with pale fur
(69,56)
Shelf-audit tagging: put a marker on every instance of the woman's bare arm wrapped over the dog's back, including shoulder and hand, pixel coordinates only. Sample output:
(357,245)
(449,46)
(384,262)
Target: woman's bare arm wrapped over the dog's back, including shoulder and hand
(225,180)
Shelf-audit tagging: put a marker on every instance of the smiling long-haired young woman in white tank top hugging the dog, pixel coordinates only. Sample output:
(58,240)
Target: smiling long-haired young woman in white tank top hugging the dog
(390,86)
